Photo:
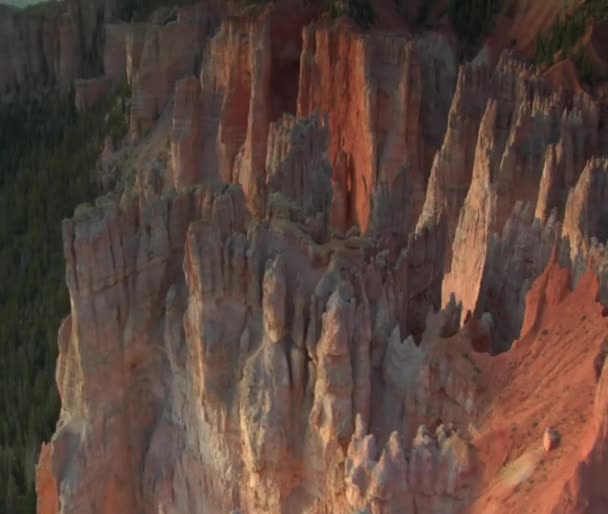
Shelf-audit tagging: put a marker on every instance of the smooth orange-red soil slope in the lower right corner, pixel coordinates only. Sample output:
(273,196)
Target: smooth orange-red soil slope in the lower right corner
(548,379)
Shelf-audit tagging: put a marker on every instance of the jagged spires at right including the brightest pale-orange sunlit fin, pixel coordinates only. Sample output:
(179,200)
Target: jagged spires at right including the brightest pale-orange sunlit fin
(532,145)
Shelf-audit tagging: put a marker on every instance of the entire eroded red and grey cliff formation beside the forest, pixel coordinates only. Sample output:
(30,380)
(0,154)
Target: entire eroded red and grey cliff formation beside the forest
(295,315)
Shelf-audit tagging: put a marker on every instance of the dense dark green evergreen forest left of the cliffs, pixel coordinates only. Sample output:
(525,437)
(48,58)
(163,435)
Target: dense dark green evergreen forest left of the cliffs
(47,158)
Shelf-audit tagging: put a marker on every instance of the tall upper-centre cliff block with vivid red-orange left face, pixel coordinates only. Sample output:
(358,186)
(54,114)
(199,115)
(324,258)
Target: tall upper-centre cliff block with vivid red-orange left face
(388,97)
